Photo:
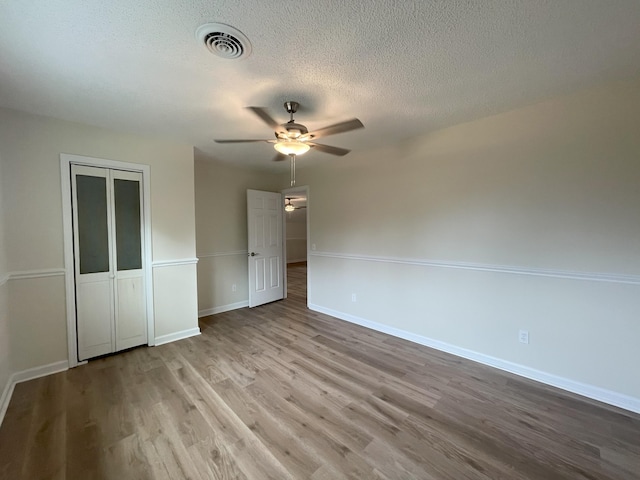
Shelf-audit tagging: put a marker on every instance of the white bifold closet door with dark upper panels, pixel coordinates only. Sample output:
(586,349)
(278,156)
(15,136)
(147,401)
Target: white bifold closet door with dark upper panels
(109,260)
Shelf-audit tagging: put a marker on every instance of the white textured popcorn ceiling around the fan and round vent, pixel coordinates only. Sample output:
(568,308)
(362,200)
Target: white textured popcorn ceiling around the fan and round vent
(402,67)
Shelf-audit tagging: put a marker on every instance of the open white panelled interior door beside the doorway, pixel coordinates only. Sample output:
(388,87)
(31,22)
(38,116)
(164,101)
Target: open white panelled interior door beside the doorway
(265,257)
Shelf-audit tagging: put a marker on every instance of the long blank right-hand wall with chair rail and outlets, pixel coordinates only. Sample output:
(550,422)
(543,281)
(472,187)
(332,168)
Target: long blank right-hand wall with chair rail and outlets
(525,220)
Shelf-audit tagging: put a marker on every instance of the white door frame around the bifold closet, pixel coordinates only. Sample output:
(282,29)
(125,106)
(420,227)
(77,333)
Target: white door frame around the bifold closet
(66,160)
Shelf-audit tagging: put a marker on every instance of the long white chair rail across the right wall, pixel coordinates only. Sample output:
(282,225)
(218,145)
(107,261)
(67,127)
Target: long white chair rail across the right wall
(516,270)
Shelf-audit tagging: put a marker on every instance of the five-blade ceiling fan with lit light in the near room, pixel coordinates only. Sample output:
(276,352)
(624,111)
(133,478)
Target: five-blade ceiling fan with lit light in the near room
(292,139)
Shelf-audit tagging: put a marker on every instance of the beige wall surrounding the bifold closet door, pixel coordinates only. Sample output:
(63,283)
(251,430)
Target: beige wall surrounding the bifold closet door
(30,148)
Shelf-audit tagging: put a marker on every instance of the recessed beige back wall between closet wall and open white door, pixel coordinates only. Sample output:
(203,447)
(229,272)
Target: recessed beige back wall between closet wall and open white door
(221,218)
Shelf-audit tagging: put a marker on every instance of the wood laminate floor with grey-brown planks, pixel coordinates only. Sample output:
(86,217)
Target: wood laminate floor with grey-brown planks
(280,392)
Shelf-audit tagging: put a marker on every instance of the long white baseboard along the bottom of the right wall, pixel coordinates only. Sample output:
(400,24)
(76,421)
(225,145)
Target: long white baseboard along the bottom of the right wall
(590,391)
